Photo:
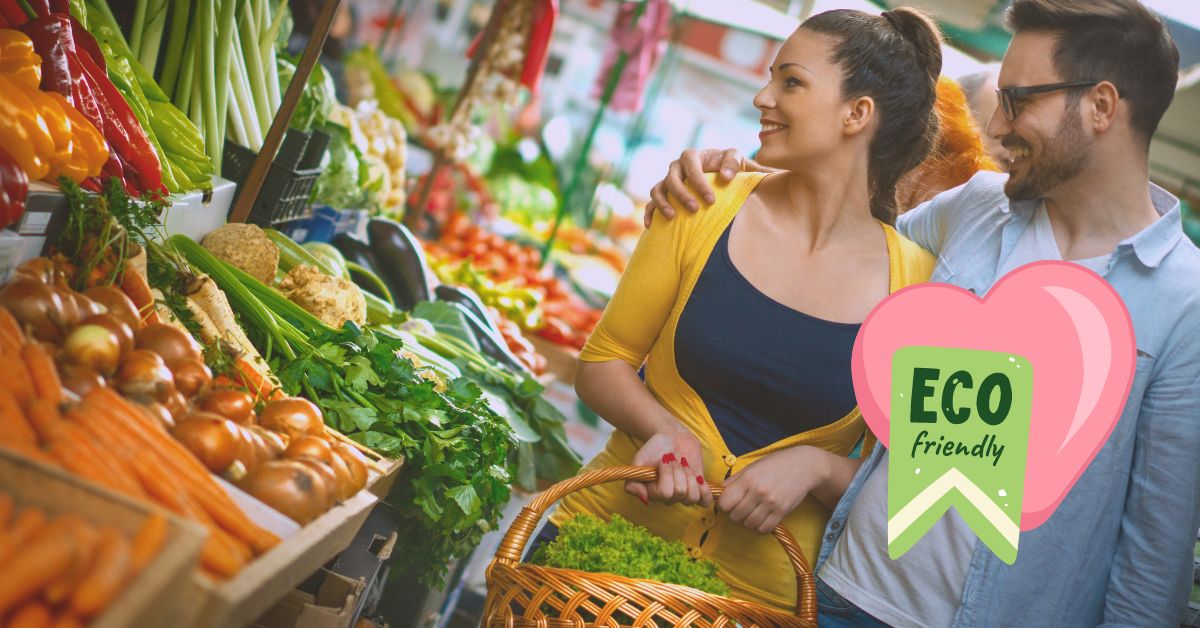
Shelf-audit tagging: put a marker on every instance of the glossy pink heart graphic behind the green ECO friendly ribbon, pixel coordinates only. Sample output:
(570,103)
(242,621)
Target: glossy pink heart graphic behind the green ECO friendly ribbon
(1067,321)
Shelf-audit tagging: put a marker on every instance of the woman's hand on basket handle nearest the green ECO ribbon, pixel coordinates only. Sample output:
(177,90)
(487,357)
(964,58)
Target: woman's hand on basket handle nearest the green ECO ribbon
(761,495)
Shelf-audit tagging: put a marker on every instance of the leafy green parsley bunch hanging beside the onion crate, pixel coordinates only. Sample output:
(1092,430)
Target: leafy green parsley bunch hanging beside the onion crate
(457,477)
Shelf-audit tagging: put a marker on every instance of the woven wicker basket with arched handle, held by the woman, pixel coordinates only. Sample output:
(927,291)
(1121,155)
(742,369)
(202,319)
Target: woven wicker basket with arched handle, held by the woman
(521,595)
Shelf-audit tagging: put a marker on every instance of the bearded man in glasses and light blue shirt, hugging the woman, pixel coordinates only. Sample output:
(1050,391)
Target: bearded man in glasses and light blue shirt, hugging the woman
(1084,86)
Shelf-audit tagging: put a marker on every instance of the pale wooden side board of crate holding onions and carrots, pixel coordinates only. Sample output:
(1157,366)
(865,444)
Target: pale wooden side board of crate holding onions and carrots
(271,577)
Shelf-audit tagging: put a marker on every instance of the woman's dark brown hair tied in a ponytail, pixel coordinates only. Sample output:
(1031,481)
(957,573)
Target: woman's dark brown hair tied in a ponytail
(896,59)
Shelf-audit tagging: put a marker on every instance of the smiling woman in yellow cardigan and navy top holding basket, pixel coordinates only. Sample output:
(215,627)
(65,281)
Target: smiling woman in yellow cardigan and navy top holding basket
(745,315)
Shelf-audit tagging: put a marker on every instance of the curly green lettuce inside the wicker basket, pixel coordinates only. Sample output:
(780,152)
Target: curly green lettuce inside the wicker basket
(589,545)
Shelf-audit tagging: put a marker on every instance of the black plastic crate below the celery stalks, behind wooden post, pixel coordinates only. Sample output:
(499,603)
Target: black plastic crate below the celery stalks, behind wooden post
(289,186)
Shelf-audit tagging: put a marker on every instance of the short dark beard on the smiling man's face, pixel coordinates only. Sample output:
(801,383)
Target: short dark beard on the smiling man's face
(1061,160)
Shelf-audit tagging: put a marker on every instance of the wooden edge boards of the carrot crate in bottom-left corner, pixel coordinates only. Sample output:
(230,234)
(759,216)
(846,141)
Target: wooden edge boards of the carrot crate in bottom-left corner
(154,597)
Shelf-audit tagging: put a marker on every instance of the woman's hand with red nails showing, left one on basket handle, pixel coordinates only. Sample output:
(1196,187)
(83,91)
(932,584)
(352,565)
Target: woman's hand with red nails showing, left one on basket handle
(680,458)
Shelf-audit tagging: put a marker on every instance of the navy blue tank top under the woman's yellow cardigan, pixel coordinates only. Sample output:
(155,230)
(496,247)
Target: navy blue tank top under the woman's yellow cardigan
(764,370)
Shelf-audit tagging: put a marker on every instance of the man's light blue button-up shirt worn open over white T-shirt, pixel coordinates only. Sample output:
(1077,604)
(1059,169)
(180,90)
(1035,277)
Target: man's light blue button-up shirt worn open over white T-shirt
(1119,551)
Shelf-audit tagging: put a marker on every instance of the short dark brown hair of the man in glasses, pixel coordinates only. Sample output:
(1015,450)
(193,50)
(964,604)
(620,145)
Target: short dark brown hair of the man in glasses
(1120,41)
